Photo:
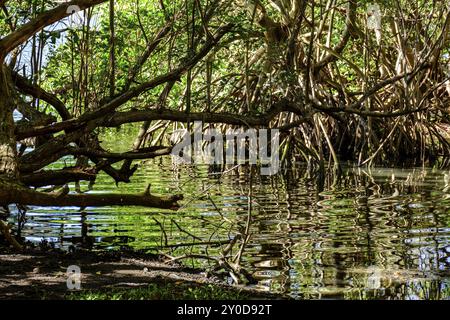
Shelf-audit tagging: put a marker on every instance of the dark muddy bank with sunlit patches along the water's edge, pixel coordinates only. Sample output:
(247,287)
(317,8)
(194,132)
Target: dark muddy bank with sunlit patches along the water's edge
(36,274)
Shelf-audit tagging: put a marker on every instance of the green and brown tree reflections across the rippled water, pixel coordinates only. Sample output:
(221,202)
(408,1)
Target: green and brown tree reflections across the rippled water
(309,243)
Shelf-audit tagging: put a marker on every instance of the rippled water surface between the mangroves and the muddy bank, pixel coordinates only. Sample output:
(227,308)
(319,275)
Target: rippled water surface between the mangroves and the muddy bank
(379,233)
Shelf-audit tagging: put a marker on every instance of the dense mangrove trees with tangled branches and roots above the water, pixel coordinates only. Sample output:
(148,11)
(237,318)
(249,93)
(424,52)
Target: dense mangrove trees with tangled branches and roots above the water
(337,87)
